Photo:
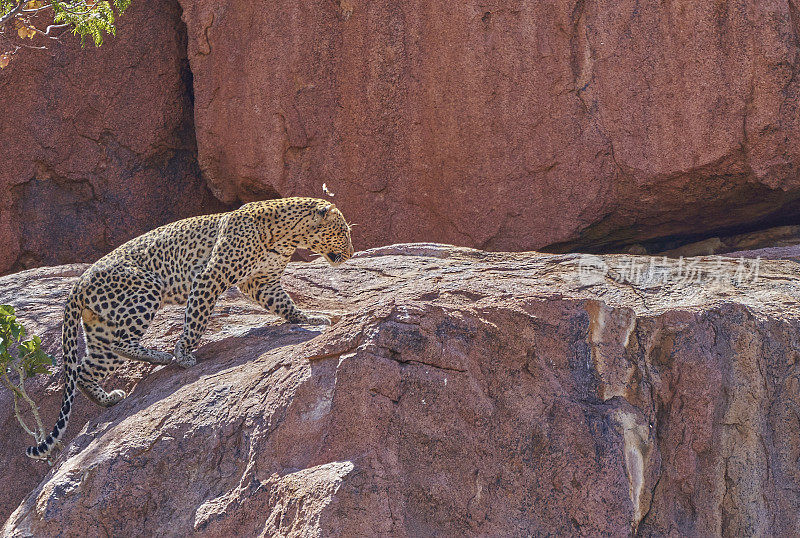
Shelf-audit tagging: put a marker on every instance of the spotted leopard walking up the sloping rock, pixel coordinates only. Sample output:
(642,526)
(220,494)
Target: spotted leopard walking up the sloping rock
(192,262)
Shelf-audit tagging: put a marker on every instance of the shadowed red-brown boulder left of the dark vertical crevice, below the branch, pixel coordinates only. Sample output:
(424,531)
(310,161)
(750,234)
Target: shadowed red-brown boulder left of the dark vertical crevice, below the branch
(98,144)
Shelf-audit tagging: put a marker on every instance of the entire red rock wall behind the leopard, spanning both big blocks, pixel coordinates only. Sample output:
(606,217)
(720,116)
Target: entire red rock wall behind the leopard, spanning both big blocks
(502,126)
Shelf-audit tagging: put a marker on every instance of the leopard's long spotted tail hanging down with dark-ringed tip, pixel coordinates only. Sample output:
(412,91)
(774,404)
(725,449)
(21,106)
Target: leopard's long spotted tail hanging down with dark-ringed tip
(69,342)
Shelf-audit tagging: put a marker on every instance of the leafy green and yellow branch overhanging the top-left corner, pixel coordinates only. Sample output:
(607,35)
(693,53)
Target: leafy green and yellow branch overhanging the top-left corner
(50,20)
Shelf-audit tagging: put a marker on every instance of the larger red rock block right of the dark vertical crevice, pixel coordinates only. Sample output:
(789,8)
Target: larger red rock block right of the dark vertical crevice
(504,126)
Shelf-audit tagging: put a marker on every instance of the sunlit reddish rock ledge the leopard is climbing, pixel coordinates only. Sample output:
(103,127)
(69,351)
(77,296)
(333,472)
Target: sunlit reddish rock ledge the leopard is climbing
(457,392)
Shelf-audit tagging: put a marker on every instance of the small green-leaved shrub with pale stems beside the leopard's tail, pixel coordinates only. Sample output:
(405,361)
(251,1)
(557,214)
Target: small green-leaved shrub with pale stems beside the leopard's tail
(20,360)
